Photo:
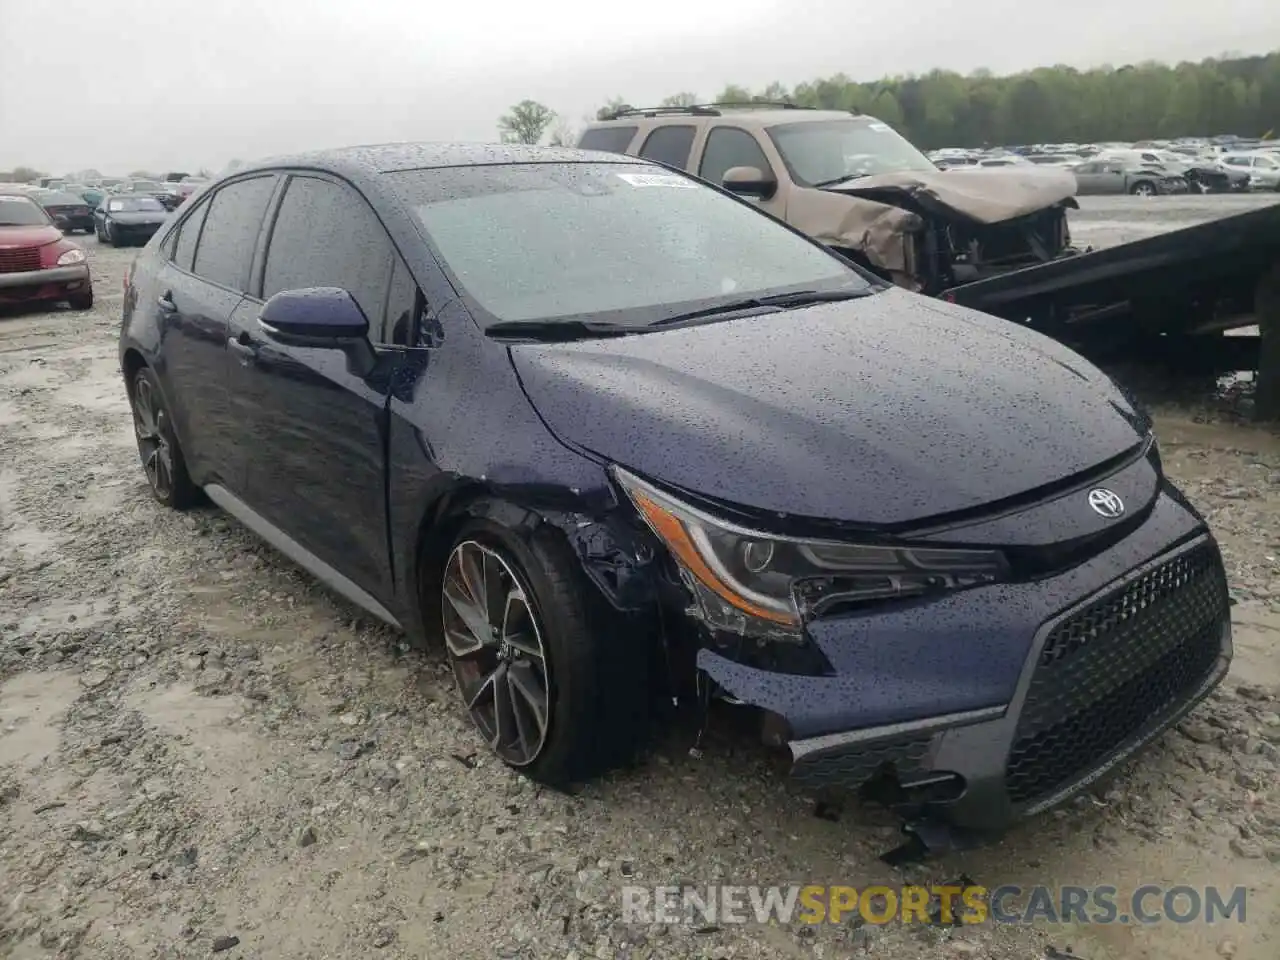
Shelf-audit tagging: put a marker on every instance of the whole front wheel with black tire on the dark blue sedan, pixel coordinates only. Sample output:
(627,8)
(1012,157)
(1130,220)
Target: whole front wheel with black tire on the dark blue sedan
(551,689)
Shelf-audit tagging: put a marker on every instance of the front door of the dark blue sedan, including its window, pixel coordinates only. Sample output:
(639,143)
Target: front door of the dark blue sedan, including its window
(319,431)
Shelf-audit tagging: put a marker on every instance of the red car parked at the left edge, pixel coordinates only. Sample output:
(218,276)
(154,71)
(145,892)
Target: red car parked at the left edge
(36,262)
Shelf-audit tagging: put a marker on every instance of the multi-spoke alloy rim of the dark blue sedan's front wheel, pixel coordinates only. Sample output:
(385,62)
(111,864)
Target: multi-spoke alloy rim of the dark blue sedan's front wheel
(496,647)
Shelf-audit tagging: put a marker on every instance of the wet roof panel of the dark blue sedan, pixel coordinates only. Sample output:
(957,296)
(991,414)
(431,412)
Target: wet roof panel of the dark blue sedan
(387,158)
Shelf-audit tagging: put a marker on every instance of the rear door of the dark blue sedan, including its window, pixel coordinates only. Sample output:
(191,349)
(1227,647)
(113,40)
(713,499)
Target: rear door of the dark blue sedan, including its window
(200,284)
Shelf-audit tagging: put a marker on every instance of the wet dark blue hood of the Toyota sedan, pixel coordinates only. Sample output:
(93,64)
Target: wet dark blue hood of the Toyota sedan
(880,412)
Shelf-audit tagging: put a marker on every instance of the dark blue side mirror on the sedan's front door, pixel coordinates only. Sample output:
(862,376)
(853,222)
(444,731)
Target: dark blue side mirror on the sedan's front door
(326,318)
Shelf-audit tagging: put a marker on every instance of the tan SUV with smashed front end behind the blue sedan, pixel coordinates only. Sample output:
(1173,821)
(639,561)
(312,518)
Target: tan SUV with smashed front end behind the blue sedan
(854,184)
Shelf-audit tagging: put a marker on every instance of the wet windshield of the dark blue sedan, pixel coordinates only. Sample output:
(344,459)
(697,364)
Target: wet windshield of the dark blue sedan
(625,244)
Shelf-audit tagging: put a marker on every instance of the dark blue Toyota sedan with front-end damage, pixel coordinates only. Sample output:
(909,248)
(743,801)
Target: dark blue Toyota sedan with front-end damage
(615,437)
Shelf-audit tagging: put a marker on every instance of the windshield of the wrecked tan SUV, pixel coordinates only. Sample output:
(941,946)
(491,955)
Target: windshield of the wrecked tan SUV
(829,152)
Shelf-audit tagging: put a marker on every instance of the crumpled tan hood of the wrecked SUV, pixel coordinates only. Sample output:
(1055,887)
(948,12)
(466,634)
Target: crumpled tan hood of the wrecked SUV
(986,196)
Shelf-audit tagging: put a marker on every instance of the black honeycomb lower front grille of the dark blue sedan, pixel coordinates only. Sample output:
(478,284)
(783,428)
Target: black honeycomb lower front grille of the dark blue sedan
(1116,668)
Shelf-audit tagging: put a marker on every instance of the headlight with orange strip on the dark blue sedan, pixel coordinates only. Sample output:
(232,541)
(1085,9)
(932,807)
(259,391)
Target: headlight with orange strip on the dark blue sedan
(760,584)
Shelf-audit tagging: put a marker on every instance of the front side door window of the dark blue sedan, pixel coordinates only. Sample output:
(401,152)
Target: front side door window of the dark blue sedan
(327,236)
